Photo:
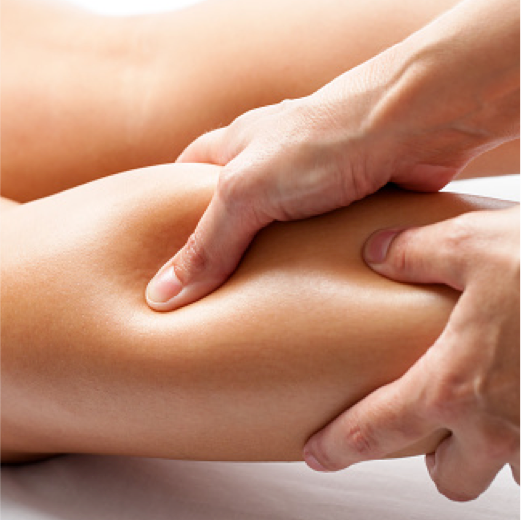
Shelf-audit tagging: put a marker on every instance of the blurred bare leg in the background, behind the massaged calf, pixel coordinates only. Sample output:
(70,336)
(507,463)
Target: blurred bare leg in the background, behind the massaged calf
(87,96)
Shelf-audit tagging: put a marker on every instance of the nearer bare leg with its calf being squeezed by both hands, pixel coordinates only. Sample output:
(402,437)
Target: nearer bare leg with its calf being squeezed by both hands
(301,331)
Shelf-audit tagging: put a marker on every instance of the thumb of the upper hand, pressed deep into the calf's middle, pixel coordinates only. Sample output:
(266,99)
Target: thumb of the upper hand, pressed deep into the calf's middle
(211,254)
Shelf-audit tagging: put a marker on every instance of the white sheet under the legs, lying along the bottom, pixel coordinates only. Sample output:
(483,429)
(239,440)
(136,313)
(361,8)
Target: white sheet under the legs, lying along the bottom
(118,488)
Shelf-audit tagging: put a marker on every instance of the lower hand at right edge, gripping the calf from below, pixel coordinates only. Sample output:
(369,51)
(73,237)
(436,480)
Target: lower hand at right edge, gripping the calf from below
(469,381)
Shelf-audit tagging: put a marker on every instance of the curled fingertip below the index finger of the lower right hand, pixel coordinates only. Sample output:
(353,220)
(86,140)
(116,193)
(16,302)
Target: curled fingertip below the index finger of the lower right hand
(460,470)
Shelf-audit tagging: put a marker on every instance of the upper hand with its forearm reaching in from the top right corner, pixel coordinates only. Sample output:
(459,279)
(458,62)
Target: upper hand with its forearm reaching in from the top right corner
(415,114)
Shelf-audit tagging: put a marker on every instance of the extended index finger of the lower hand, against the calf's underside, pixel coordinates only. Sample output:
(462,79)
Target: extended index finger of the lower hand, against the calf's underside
(385,422)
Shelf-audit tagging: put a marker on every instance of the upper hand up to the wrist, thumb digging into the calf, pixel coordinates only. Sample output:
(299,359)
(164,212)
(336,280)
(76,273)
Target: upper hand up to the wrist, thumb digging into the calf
(308,156)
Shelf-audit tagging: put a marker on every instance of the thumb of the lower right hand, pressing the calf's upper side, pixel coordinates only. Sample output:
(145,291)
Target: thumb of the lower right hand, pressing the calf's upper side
(437,253)
